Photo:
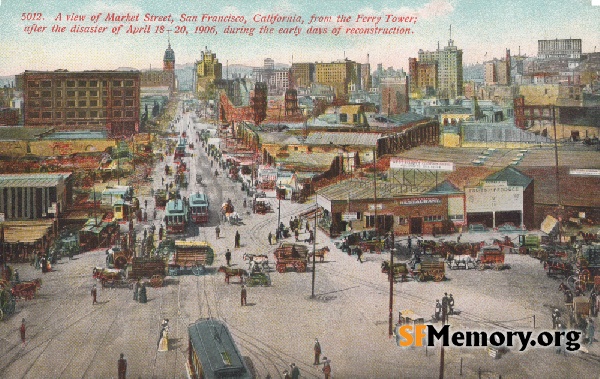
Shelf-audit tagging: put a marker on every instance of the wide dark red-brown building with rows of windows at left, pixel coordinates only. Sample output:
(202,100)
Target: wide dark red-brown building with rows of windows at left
(85,100)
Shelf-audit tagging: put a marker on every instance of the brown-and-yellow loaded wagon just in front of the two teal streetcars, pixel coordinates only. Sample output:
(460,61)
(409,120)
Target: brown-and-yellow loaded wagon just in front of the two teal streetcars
(190,257)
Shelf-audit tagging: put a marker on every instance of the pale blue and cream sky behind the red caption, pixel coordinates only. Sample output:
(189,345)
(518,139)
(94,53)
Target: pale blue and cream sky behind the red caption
(478,27)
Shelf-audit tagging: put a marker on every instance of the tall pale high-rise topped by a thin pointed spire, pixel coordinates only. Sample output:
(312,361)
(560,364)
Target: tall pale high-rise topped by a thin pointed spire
(449,69)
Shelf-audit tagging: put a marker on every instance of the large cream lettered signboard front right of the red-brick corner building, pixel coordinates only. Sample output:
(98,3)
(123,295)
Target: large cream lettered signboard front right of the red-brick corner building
(494,197)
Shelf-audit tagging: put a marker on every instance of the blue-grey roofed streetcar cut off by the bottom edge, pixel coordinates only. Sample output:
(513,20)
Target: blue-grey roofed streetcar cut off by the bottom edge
(212,352)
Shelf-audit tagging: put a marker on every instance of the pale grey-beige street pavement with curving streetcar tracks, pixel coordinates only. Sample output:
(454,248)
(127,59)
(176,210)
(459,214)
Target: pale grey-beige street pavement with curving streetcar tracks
(68,337)
